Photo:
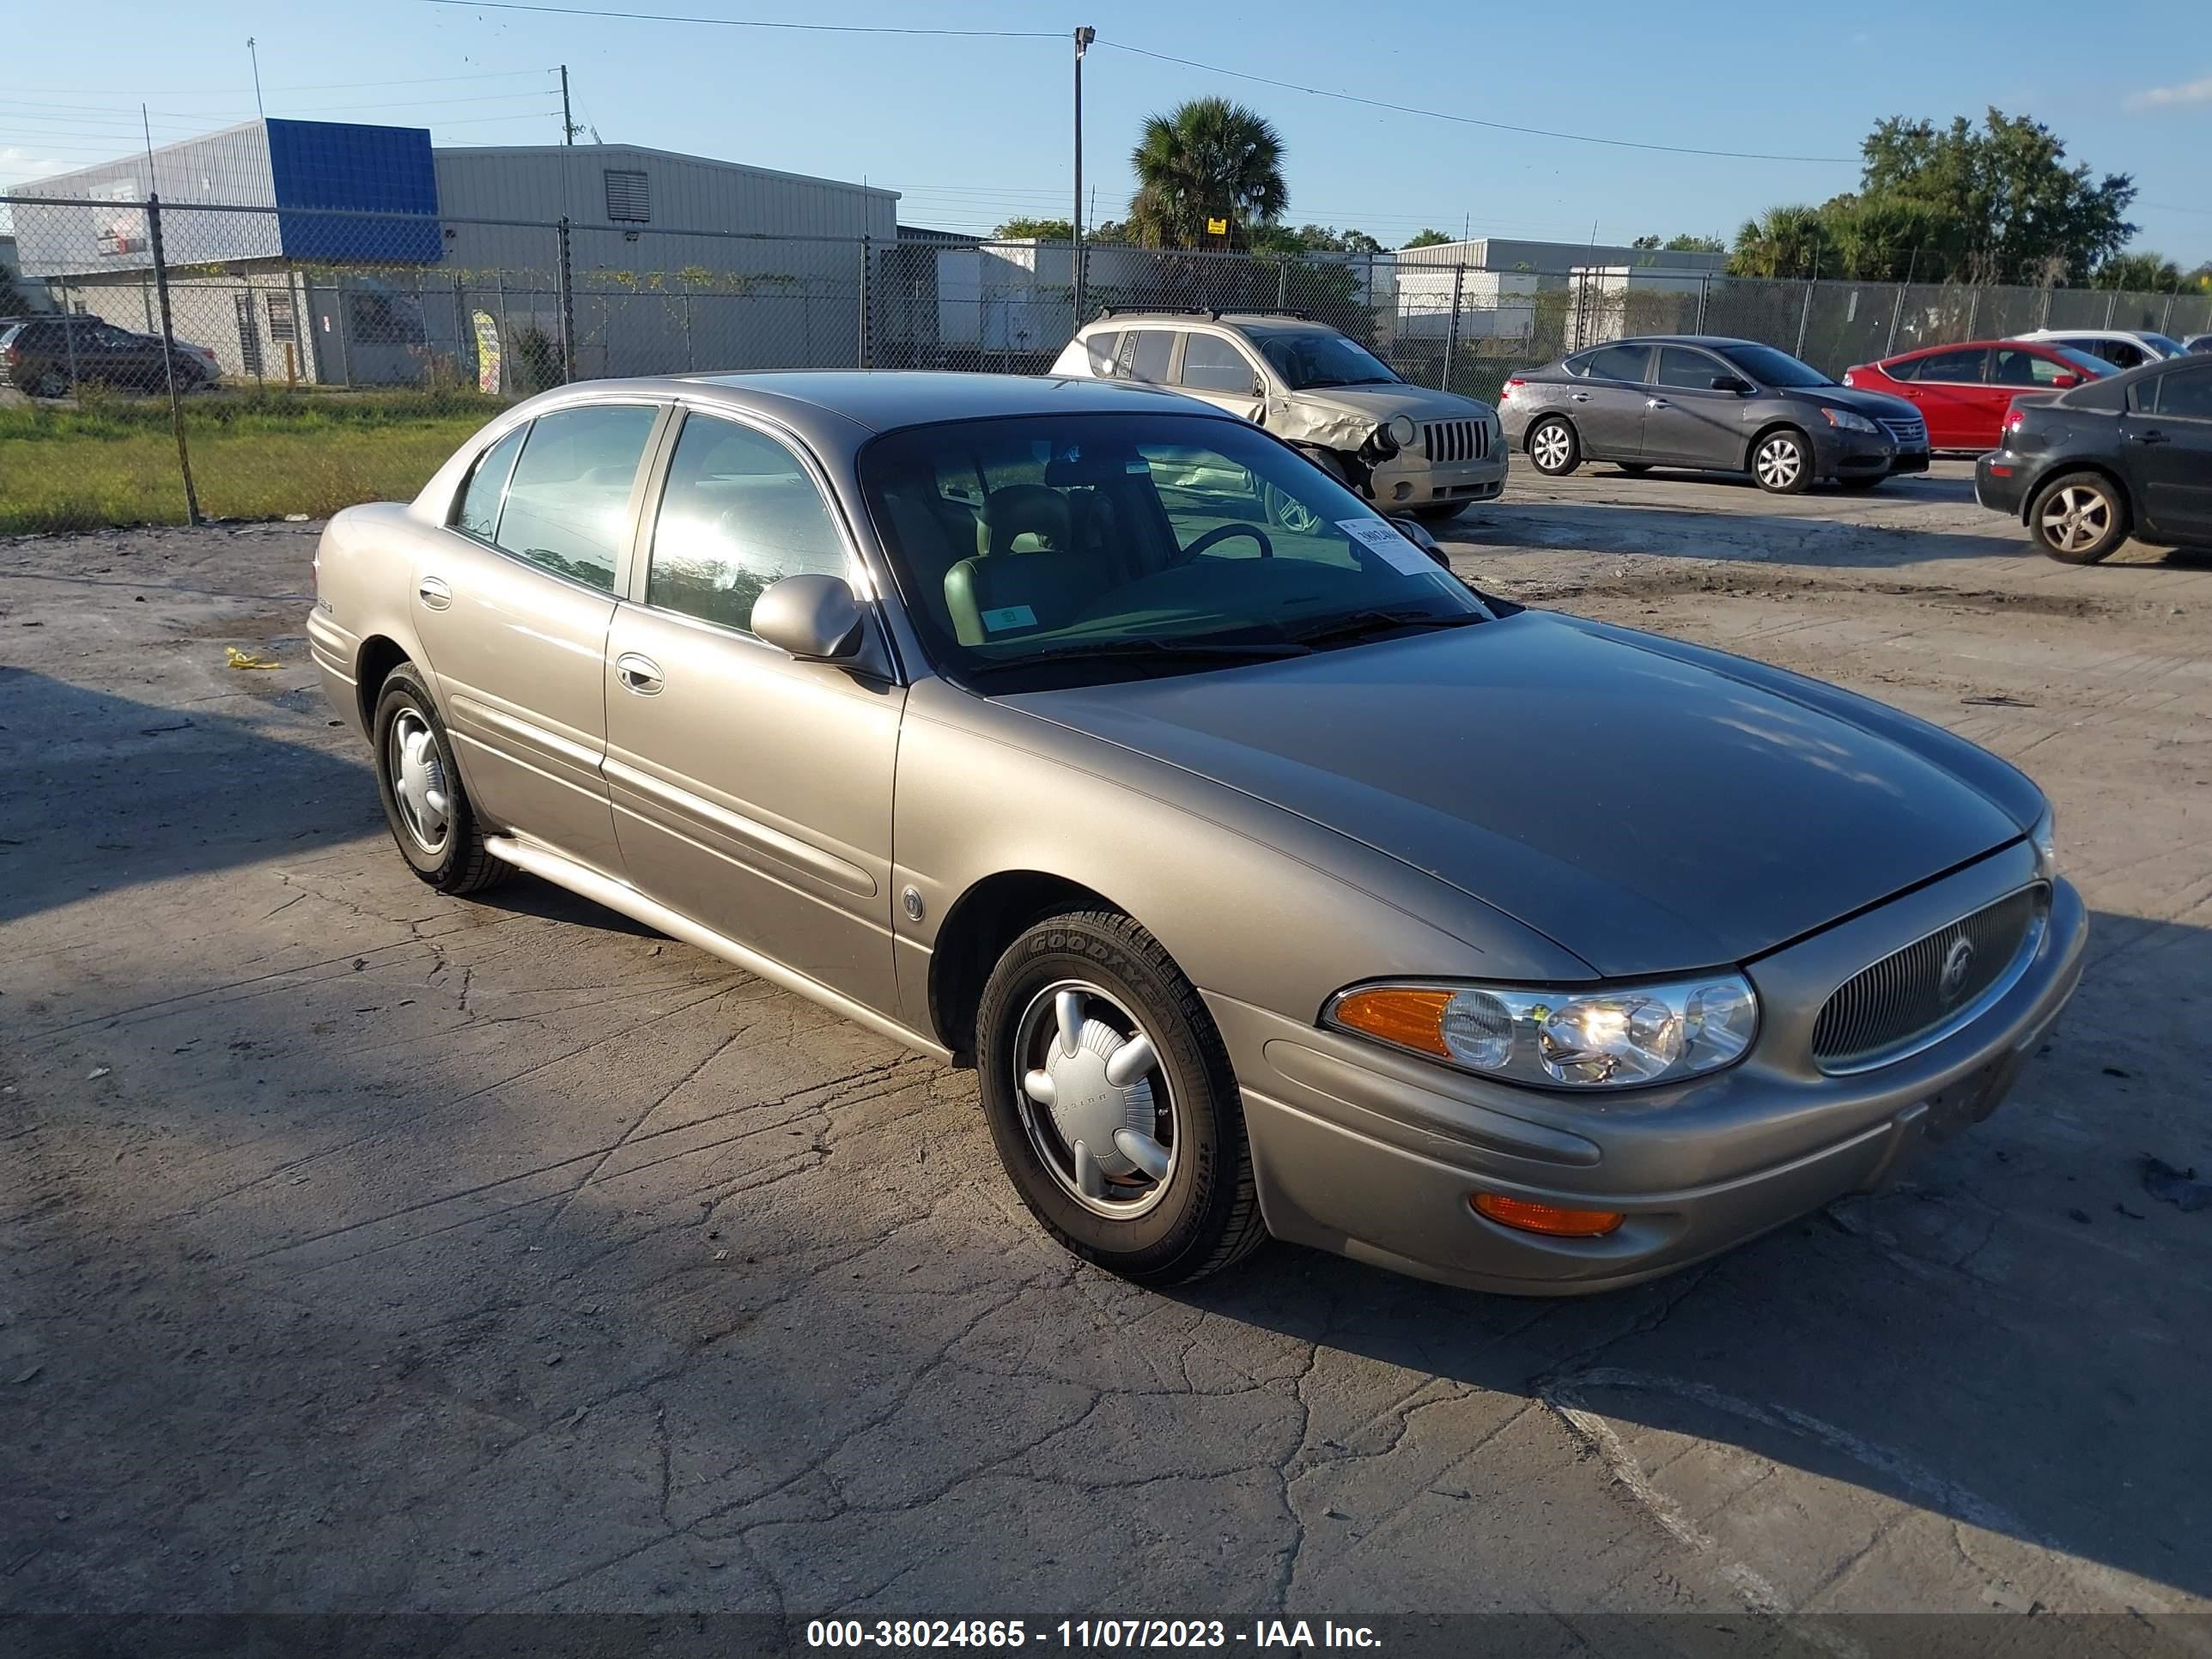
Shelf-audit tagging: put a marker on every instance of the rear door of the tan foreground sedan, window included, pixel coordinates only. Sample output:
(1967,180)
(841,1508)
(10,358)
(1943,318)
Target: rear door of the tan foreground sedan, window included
(514,603)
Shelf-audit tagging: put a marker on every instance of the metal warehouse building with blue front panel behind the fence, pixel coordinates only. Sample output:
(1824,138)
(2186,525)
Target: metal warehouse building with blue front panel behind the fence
(362,255)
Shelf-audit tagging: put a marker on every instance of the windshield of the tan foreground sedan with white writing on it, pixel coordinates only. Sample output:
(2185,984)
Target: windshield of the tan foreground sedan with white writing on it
(1072,550)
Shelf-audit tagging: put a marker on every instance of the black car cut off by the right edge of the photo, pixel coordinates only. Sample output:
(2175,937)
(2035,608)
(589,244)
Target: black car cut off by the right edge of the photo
(2114,459)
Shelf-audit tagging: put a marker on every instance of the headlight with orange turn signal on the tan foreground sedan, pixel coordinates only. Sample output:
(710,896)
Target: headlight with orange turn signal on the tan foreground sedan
(1600,1039)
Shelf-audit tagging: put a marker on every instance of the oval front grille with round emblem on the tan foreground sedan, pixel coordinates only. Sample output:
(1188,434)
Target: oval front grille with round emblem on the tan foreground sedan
(1886,1008)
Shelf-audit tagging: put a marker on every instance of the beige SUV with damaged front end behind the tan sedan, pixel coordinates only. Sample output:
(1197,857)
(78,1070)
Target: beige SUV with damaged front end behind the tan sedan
(1419,452)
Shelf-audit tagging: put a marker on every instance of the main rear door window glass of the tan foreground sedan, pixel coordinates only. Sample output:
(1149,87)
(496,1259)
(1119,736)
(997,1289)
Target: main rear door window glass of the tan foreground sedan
(570,499)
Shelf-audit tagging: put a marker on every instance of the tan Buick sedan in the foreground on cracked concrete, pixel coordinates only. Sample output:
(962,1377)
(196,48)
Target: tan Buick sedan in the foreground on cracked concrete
(1273,879)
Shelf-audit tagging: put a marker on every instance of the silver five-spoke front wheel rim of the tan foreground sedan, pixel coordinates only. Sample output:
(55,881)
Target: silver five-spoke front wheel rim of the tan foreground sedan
(1094,1100)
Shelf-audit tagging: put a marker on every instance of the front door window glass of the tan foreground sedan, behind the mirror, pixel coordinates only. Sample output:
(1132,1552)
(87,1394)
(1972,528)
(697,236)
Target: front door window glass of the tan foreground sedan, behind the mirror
(738,514)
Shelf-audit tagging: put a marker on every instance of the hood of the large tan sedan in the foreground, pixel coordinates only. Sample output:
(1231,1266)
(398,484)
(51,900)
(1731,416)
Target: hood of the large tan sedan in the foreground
(1640,811)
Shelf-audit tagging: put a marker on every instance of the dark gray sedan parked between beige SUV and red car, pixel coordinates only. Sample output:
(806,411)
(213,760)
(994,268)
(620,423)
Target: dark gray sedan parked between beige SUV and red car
(1709,401)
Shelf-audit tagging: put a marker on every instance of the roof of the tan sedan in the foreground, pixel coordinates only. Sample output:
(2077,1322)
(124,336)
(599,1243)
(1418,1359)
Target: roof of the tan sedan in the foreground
(893,399)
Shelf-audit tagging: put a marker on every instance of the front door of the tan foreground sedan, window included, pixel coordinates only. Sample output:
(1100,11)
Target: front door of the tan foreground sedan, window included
(753,793)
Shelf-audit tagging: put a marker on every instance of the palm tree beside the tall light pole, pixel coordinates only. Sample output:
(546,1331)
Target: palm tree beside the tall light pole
(1207,160)
